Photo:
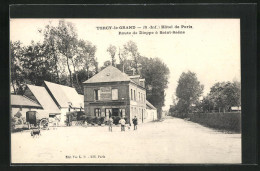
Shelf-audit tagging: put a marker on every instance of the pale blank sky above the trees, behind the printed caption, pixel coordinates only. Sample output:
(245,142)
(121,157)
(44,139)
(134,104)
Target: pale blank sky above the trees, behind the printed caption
(209,47)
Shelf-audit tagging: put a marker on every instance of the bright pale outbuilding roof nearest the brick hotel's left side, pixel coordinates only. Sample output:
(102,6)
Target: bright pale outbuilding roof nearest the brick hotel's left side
(64,95)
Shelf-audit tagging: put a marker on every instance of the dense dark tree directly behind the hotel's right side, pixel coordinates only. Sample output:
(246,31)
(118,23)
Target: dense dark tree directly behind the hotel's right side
(156,74)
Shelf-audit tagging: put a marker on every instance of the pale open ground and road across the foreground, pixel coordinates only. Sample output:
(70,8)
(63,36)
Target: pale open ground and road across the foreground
(171,141)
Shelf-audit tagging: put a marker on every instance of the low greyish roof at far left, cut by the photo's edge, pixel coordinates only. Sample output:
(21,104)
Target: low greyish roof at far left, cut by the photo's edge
(22,101)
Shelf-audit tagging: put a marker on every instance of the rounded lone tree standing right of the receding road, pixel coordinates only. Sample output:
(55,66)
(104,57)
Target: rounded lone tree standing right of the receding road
(188,91)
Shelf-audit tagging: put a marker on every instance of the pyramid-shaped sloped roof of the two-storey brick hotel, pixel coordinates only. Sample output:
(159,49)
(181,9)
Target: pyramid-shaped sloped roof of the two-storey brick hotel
(109,74)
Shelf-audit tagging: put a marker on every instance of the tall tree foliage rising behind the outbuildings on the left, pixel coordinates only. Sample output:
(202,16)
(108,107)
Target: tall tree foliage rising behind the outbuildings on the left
(60,58)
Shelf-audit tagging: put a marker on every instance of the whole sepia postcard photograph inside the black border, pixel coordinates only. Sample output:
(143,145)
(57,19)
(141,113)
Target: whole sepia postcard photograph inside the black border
(125,91)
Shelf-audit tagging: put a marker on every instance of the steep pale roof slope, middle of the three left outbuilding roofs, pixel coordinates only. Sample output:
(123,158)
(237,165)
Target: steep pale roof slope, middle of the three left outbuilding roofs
(44,98)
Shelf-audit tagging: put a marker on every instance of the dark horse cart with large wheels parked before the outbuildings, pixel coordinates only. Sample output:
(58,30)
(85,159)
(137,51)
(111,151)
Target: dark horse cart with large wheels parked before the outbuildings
(37,119)
